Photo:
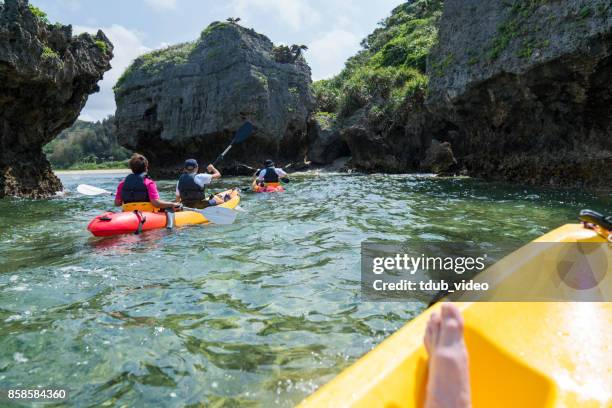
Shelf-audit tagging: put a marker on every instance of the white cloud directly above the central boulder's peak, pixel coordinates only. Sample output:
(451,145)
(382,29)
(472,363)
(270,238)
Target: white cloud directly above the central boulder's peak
(294,13)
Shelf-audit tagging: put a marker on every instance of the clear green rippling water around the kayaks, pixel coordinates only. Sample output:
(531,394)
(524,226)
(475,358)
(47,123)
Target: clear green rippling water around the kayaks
(258,313)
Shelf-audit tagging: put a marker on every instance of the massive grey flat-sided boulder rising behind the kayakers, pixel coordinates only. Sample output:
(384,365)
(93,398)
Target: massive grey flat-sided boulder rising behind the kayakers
(188,100)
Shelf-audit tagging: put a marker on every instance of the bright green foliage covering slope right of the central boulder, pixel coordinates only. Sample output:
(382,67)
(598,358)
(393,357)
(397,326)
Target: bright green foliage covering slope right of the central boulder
(391,67)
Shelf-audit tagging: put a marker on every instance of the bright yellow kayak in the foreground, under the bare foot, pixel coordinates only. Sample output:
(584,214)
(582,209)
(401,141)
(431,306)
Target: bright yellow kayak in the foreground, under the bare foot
(521,354)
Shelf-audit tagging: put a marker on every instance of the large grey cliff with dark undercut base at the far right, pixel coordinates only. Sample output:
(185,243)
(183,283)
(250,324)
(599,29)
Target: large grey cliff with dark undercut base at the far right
(527,87)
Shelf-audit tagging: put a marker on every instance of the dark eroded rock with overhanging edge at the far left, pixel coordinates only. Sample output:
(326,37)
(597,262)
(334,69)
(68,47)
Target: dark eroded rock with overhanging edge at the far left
(46,75)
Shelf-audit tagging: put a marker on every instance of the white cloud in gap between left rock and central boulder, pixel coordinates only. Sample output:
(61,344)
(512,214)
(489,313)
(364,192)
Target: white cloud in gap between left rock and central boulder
(128,45)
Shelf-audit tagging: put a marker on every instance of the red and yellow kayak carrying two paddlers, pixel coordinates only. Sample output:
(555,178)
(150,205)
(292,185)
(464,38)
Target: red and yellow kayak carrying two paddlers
(127,222)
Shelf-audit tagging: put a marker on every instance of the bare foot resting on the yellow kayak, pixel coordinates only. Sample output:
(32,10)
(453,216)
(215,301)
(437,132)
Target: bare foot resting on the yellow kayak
(448,382)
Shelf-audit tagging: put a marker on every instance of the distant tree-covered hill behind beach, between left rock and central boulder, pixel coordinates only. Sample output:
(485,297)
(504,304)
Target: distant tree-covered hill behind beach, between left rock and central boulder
(87,145)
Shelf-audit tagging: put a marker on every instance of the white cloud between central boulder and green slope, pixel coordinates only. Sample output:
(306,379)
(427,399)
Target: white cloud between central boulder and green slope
(328,53)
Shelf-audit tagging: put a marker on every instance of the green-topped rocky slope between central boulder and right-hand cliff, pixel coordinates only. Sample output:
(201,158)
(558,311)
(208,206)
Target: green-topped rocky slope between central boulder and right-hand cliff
(377,101)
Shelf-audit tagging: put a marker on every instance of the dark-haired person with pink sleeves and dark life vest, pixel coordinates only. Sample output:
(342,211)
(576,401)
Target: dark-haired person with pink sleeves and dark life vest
(138,187)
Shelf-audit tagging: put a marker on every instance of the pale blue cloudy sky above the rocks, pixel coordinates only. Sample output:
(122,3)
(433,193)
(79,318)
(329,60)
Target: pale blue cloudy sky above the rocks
(332,29)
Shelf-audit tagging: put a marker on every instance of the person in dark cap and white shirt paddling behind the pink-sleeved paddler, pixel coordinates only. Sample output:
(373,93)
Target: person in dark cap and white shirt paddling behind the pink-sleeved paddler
(191,187)
